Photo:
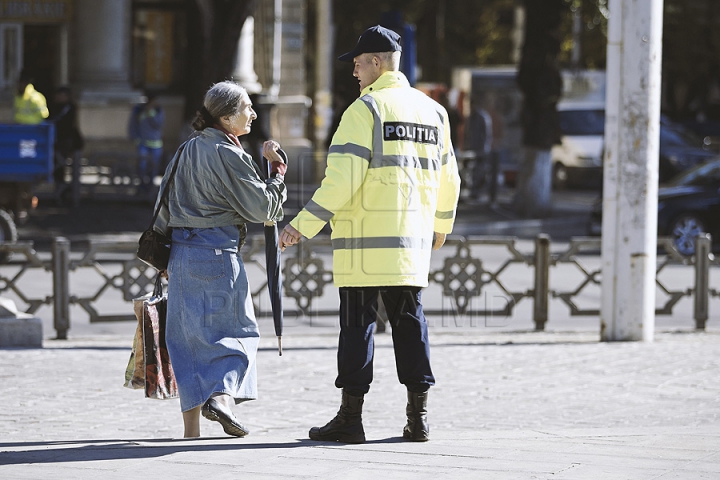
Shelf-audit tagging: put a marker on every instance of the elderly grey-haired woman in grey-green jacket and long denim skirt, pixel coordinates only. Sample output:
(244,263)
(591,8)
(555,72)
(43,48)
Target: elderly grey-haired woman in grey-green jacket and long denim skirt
(212,335)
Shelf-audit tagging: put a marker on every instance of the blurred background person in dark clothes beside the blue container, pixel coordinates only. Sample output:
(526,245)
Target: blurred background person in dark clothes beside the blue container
(68,139)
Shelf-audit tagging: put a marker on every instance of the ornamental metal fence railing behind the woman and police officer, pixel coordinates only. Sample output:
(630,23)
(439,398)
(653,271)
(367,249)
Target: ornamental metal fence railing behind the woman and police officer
(463,271)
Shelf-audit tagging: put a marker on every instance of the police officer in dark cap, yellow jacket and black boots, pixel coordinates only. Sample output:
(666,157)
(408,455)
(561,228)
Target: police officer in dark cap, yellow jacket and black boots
(390,193)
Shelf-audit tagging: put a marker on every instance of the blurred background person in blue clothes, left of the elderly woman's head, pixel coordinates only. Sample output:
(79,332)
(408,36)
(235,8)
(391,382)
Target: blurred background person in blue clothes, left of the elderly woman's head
(145,129)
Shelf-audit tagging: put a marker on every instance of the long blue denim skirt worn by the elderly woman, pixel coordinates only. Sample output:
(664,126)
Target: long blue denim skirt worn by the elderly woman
(212,336)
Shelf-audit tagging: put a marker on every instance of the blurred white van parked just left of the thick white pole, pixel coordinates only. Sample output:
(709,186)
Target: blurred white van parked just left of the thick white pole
(579,157)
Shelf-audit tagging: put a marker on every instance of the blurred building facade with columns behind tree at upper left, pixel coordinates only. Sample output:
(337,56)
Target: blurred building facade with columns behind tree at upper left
(111,51)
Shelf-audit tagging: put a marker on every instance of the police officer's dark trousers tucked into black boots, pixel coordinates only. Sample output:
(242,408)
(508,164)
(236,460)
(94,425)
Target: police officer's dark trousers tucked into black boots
(358,312)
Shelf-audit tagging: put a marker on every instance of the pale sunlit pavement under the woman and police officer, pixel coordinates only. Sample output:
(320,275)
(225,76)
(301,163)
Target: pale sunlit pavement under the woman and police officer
(507,405)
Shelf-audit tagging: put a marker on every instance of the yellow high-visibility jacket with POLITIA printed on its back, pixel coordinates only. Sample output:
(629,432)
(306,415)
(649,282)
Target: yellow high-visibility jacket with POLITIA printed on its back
(391,181)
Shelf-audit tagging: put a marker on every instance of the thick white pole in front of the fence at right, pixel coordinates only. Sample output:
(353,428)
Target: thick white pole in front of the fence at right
(629,229)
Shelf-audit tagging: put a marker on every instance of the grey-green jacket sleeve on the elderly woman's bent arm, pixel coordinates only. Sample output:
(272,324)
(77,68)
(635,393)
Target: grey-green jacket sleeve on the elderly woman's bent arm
(255,199)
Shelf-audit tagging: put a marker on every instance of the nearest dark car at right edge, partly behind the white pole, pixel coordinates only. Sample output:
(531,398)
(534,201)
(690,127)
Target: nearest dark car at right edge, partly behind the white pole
(687,205)
